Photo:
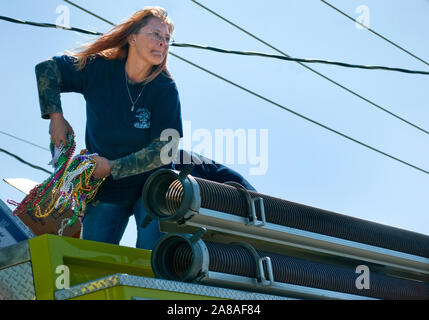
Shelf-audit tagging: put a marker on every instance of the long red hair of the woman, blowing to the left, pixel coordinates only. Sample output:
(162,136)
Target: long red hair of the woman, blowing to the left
(114,44)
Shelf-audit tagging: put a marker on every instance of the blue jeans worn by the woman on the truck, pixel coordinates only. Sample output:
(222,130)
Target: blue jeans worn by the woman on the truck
(106,222)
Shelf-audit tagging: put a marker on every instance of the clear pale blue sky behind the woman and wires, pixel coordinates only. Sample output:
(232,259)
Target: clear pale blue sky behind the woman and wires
(306,163)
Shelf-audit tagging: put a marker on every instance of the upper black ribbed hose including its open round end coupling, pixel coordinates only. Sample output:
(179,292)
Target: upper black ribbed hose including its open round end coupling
(166,196)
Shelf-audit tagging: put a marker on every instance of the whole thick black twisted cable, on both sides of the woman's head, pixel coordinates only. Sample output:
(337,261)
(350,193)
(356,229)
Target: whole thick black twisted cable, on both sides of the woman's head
(246,53)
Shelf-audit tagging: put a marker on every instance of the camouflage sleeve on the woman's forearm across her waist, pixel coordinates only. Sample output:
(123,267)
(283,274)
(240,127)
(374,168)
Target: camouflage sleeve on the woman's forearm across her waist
(155,155)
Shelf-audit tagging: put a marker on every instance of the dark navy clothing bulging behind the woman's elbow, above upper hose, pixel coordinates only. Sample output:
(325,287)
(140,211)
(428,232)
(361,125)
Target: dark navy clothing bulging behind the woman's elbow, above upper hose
(210,170)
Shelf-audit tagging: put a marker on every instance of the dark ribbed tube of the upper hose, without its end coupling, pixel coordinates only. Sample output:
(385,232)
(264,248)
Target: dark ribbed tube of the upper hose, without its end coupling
(223,198)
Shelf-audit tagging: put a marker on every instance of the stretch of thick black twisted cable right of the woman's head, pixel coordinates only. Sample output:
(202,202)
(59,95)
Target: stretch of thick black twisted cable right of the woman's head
(259,54)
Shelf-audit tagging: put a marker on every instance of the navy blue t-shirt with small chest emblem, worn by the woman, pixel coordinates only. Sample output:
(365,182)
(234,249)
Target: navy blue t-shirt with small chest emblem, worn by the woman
(113,130)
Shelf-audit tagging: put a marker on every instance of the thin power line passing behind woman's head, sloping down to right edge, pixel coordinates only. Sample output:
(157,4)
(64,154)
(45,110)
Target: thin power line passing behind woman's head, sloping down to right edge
(287,109)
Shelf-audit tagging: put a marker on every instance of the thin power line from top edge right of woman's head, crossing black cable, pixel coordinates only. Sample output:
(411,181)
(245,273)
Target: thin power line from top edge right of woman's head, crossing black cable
(311,69)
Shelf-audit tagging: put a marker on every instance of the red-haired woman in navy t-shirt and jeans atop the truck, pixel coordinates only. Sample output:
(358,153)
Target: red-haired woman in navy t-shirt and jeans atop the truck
(130,99)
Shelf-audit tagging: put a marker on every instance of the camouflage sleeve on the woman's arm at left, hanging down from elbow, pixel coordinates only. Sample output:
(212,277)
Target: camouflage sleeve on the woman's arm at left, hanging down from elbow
(48,83)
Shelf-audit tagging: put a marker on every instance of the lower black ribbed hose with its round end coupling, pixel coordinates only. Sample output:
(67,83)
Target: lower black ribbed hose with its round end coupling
(176,258)
